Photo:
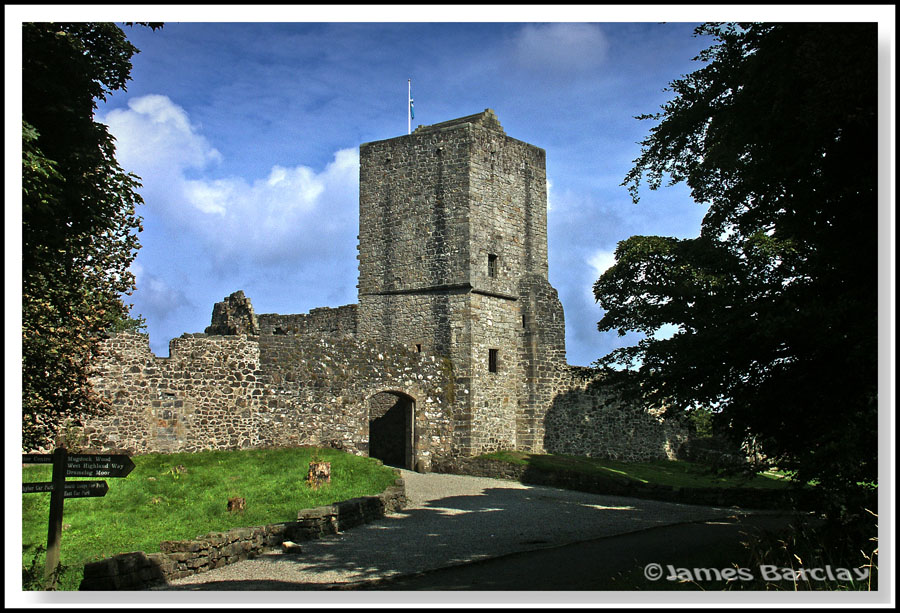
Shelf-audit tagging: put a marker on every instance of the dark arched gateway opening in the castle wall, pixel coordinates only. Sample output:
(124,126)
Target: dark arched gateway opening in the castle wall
(391,428)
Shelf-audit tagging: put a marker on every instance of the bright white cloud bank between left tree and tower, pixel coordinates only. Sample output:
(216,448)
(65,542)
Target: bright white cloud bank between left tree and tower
(292,210)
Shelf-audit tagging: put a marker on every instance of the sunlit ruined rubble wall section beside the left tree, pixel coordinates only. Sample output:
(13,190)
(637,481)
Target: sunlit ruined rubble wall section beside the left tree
(206,395)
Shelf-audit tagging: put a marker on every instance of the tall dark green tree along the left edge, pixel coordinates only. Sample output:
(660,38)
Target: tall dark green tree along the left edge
(79,221)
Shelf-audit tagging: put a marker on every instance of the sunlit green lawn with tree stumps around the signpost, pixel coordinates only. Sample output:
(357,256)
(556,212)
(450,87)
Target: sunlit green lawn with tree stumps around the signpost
(154,503)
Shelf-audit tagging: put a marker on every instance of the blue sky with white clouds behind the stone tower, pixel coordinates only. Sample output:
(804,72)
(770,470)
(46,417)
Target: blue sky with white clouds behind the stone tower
(246,136)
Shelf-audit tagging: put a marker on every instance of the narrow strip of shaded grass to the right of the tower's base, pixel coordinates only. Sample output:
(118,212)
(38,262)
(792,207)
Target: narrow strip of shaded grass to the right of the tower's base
(676,473)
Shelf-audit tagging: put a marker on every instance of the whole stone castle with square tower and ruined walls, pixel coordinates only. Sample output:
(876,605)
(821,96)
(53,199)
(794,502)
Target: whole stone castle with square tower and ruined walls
(455,348)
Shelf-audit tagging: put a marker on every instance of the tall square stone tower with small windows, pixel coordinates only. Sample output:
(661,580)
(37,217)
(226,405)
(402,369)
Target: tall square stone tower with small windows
(453,260)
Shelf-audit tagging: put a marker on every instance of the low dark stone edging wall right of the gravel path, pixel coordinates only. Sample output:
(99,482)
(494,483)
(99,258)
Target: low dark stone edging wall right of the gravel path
(750,498)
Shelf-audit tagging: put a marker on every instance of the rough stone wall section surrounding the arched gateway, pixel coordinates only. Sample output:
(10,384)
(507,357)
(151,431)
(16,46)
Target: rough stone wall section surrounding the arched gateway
(321,385)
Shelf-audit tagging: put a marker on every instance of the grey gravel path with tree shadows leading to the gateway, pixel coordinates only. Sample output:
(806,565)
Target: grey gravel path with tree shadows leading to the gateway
(450,519)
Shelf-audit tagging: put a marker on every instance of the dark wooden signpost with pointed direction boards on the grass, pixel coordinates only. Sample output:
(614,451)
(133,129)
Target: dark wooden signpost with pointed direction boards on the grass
(71,465)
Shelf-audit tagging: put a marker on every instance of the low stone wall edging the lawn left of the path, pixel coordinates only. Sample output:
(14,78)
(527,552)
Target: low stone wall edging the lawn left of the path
(176,559)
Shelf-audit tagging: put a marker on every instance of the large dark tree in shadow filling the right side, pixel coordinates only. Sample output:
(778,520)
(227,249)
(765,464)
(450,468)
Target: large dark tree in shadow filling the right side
(775,302)
